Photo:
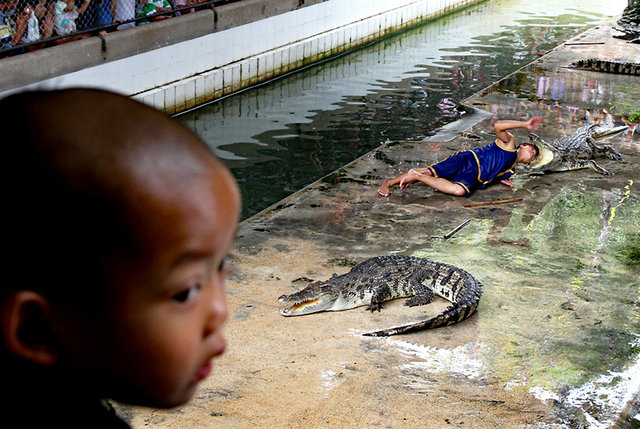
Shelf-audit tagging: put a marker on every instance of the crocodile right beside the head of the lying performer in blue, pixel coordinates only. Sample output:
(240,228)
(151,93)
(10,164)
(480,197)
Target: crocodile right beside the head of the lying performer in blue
(575,151)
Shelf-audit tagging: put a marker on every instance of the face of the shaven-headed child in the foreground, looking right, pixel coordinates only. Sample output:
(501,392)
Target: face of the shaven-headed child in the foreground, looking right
(165,312)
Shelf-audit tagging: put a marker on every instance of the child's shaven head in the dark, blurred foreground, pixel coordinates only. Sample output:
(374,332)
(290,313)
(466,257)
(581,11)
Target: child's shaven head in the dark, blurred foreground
(119,225)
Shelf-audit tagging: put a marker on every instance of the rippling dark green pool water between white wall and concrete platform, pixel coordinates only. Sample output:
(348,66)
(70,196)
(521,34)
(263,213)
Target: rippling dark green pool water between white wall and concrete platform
(278,138)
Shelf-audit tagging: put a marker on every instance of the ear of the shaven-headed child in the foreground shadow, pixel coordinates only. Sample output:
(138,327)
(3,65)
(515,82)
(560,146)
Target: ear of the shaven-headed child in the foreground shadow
(26,327)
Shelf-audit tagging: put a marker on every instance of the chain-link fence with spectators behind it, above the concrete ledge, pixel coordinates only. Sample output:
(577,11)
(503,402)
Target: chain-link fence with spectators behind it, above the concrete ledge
(28,25)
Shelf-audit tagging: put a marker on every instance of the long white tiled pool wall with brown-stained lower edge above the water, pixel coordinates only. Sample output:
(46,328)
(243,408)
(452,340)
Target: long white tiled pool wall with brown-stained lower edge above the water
(178,77)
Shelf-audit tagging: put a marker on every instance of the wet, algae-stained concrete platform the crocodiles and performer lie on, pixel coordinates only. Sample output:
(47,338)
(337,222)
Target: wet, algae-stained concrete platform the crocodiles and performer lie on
(554,342)
